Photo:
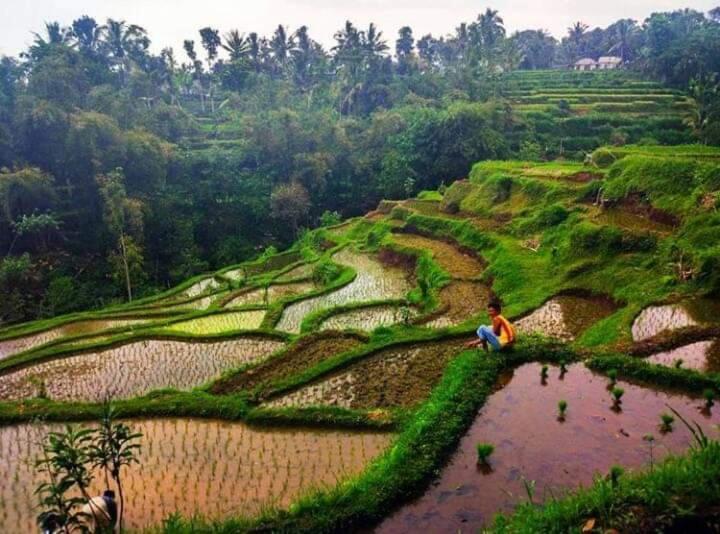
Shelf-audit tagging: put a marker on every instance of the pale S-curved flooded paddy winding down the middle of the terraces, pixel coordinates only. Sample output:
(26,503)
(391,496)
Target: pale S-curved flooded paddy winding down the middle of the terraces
(374,281)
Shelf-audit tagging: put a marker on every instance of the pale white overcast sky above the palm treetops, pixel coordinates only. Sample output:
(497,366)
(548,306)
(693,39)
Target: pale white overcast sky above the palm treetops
(170,21)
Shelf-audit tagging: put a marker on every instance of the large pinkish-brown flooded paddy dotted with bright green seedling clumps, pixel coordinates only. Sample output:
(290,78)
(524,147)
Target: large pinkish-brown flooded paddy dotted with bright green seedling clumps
(520,420)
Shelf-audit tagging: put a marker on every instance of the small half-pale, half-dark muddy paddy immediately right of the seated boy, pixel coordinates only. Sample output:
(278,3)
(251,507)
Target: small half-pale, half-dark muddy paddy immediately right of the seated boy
(566,317)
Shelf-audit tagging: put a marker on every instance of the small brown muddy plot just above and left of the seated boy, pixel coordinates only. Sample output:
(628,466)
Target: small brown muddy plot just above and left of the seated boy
(460,300)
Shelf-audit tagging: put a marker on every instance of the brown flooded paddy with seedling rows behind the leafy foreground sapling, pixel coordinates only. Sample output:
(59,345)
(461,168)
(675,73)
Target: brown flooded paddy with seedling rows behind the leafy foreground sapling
(194,466)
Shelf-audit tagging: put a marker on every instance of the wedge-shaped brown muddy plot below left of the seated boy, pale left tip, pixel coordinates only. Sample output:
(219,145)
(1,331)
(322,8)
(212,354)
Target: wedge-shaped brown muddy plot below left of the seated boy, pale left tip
(392,377)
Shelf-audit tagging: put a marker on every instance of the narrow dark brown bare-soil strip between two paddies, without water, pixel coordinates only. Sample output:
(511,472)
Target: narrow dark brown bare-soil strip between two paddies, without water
(306,353)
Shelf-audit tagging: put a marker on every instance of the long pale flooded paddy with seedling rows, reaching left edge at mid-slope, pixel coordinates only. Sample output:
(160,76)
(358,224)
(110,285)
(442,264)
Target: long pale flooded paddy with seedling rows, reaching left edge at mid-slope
(134,369)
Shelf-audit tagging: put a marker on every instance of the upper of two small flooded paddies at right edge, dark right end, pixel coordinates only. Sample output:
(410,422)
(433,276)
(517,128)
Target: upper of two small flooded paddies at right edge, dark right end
(667,317)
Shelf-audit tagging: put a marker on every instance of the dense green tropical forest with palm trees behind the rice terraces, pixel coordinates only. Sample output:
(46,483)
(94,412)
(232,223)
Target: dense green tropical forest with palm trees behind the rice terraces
(123,172)
